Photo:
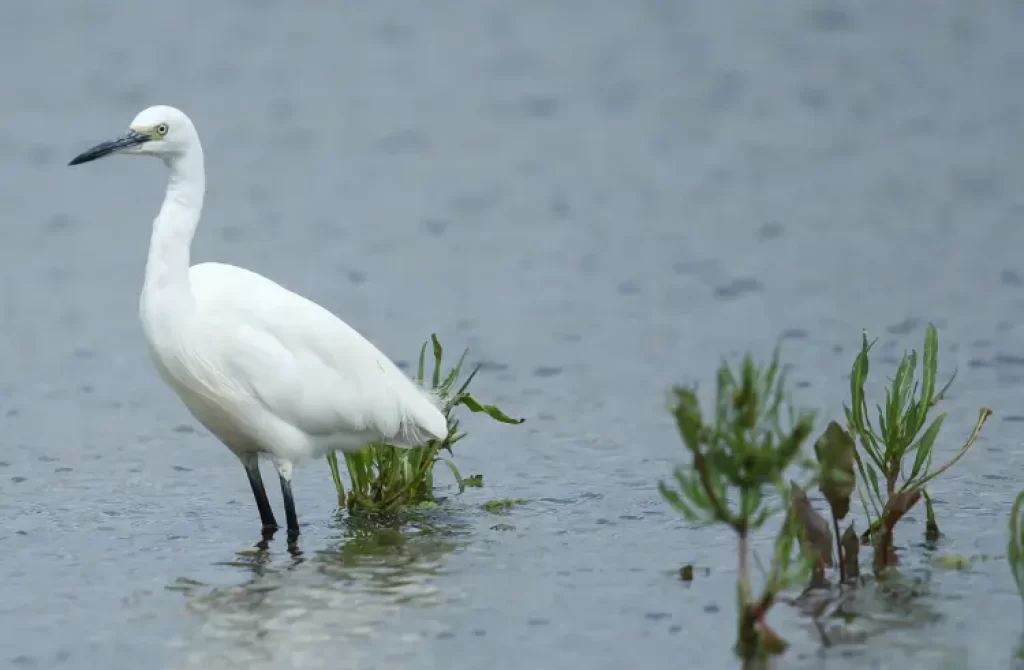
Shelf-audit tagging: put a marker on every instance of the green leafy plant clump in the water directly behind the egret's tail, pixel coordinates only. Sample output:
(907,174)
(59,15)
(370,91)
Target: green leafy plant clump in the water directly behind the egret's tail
(385,478)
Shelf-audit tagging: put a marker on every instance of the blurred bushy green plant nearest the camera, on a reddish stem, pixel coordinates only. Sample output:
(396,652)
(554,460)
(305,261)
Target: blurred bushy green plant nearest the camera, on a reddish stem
(741,454)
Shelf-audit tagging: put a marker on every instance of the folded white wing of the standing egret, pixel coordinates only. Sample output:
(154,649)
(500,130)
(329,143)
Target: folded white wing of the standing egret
(310,368)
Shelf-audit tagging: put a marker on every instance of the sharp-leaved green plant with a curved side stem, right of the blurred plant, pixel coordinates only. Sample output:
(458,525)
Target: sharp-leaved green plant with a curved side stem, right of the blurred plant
(894,458)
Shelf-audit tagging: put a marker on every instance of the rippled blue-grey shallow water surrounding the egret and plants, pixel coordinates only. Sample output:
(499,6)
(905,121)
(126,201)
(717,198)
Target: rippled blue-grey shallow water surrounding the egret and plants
(600,199)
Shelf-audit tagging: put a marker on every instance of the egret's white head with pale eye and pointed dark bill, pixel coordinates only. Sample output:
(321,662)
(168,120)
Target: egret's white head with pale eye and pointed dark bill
(159,131)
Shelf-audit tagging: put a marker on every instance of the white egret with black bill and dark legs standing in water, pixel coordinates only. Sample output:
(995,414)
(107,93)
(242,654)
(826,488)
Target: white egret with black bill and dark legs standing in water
(264,369)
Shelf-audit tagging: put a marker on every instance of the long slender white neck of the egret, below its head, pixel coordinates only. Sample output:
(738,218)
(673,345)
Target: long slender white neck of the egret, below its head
(167,267)
